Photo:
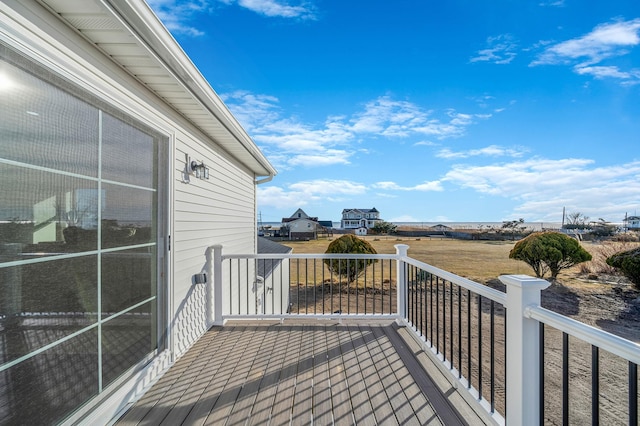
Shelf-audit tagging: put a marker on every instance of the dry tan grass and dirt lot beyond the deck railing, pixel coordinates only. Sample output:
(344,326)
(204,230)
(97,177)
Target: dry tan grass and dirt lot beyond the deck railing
(588,293)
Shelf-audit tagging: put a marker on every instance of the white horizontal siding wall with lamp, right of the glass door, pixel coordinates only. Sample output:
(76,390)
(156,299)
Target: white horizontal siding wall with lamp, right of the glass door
(220,210)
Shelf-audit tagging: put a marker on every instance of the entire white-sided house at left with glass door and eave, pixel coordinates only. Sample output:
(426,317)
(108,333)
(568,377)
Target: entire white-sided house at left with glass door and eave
(120,166)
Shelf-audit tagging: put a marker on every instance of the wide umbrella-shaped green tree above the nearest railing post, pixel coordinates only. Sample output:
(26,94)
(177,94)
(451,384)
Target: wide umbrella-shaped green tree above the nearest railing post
(549,251)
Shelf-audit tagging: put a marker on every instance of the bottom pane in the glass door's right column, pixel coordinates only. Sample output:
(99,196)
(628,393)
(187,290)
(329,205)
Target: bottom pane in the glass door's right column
(127,340)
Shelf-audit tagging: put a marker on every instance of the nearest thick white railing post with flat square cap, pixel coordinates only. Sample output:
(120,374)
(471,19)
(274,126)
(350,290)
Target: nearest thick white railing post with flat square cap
(523,352)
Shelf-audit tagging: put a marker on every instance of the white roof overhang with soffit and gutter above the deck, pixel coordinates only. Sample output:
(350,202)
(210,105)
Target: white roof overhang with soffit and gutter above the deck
(132,36)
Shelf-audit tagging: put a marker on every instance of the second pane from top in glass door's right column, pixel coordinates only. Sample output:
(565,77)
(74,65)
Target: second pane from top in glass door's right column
(128,216)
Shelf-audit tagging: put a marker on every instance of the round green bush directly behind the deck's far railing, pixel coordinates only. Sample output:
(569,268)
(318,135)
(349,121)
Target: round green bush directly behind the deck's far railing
(350,268)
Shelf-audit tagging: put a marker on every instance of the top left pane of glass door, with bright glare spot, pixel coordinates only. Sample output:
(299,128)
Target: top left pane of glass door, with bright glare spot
(42,125)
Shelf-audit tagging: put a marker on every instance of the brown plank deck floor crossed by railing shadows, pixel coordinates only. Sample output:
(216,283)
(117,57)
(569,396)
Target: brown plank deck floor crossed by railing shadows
(278,374)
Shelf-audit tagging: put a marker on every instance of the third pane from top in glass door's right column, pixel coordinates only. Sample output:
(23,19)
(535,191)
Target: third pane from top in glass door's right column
(128,278)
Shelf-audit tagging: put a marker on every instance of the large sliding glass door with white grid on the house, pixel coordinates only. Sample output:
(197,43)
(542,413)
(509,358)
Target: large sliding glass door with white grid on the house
(82,219)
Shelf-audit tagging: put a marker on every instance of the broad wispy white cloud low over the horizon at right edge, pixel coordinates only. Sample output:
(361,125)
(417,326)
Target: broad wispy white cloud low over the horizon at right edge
(543,187)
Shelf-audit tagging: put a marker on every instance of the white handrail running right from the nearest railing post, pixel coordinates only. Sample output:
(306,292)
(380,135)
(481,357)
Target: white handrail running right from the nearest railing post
(609,342)
